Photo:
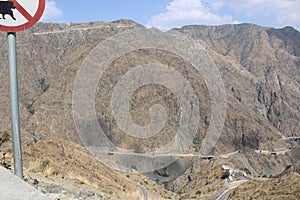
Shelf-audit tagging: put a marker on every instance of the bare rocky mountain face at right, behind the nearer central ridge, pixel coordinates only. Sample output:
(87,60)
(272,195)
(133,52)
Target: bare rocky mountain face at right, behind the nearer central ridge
(268,63)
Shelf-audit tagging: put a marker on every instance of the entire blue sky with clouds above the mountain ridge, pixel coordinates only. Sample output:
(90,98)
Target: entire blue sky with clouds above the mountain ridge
(166,14)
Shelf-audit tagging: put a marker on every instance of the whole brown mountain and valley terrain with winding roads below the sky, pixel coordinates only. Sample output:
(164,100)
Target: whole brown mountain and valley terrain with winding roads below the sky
(255,155)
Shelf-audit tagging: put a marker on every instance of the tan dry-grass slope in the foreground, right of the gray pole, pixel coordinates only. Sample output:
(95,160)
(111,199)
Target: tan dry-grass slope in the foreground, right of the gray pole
(82,169)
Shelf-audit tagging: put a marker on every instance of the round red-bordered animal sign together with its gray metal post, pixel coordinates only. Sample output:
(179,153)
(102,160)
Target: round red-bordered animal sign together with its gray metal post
(17,15)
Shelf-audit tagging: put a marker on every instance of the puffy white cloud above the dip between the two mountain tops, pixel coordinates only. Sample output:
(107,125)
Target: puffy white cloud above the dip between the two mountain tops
(184,12)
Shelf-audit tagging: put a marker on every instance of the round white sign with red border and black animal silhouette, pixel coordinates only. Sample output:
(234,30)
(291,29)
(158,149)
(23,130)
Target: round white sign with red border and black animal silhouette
(19,15)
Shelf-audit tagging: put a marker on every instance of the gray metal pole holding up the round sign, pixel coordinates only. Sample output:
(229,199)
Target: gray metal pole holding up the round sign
(14,104)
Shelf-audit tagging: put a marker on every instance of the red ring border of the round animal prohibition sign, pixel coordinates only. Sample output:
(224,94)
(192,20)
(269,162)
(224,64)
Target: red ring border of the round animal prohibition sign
(32,21)
